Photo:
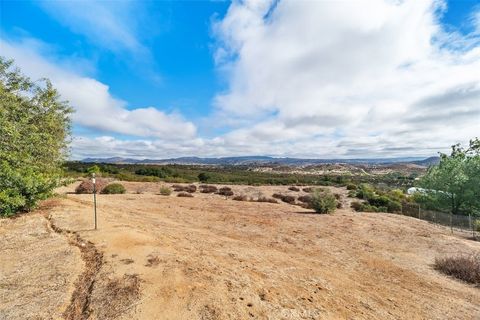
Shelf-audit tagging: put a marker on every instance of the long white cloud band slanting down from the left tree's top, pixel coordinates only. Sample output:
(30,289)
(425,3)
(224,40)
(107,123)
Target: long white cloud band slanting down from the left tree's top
(94,105)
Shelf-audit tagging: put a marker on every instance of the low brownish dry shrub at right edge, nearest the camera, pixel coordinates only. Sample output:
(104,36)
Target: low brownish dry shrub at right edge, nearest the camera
(466,268)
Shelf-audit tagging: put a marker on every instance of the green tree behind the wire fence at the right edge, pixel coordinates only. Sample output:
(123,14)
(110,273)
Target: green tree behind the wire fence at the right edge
(454,183)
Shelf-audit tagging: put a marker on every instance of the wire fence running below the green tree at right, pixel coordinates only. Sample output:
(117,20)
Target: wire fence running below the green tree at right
(454,222)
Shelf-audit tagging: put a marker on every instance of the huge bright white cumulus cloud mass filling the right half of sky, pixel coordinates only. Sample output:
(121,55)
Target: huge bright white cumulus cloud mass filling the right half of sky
(375,74)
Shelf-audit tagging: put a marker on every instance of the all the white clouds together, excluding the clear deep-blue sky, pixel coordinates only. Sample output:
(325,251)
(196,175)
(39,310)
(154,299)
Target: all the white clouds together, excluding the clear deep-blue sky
(304,78)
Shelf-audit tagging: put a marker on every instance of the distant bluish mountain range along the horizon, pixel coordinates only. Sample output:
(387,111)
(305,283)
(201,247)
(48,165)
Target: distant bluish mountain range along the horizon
(264,160)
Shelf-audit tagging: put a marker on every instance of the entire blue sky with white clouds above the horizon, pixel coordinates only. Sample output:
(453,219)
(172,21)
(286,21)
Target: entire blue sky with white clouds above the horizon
(310,79)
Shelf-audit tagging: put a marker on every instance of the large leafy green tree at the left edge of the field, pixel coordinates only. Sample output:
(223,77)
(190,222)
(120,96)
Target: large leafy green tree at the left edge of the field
(34,133)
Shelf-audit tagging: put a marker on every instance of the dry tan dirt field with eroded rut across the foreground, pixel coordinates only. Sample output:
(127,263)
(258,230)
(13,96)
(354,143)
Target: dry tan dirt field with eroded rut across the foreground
(207,257)
